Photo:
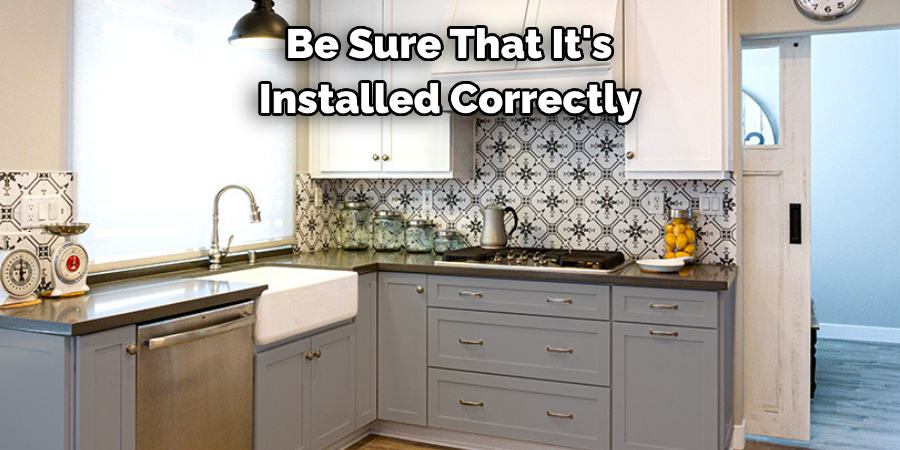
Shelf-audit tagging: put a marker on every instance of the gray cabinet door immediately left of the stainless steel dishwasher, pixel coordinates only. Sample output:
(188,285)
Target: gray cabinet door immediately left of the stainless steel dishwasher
(105,379)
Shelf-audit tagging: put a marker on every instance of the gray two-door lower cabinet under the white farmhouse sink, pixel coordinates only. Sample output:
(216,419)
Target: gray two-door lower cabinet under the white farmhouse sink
(304,392)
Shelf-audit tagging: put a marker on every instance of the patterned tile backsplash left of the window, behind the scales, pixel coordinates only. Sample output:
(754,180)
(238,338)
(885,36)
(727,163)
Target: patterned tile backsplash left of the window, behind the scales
(14,186)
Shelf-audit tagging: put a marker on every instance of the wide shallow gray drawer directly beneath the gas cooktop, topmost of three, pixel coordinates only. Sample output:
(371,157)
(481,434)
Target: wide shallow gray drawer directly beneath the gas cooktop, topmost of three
(584,301)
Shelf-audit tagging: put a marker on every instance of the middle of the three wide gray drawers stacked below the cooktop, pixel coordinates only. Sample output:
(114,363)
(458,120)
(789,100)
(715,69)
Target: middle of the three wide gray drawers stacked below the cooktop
(575,351)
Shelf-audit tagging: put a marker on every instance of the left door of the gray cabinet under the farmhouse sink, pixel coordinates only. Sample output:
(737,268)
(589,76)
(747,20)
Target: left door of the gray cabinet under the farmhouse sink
(281,398)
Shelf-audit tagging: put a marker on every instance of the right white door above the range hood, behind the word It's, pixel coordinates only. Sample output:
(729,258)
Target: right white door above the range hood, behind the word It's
(546,14)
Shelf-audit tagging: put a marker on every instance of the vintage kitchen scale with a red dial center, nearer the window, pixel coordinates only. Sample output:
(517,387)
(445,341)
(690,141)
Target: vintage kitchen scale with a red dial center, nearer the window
(69,262)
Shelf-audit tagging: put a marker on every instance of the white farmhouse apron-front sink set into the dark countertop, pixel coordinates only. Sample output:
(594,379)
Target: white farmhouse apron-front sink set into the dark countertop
(298,300)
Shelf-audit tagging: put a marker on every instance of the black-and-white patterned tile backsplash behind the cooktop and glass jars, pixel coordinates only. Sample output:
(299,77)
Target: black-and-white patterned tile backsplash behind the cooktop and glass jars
(564,175)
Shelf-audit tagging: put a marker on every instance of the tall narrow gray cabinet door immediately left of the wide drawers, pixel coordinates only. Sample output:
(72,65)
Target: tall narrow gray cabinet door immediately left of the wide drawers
(402,350)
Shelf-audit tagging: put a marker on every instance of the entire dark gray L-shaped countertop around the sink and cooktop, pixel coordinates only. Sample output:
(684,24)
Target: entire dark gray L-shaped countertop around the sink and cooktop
(146,295)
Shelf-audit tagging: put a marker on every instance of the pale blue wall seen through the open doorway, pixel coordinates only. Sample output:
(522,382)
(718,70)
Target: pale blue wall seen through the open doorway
(856,177)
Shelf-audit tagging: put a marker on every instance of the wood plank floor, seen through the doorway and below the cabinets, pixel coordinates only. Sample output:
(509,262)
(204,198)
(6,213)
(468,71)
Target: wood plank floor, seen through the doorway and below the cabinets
(857,404)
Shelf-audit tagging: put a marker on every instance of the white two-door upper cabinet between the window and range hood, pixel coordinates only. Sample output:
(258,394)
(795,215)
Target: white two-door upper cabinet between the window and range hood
(410,146)
